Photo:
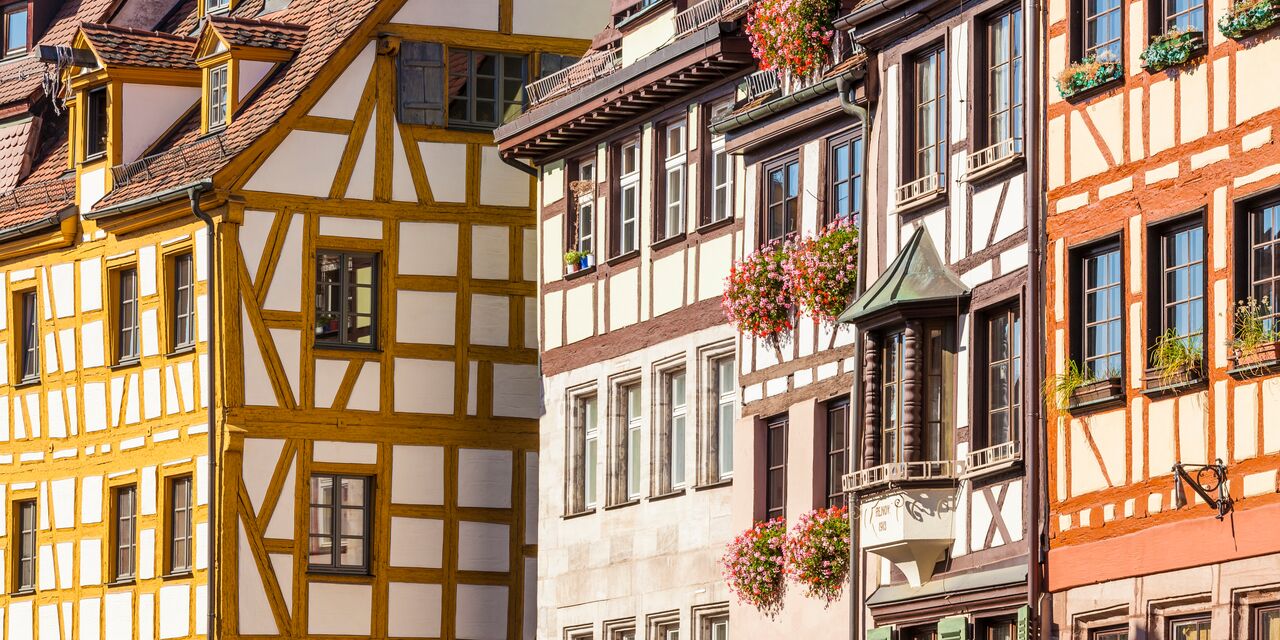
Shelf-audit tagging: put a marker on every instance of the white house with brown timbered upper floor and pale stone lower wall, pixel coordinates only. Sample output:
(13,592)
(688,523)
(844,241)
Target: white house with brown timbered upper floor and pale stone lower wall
(639,220)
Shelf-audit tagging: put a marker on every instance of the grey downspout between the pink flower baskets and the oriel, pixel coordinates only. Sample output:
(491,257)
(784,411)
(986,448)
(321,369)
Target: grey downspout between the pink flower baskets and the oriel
(856,605)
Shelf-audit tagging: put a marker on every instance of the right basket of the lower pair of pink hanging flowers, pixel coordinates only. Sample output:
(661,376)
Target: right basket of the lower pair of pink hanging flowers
(817,554)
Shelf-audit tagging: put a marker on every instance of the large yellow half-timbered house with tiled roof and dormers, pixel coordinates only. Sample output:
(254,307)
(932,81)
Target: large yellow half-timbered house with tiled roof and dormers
(269,308)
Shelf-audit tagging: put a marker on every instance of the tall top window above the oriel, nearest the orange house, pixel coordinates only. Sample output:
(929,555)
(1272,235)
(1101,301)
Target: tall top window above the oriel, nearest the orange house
(1005,79)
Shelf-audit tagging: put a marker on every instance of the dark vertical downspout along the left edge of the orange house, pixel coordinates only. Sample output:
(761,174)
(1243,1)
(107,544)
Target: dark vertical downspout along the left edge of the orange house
(1037,565)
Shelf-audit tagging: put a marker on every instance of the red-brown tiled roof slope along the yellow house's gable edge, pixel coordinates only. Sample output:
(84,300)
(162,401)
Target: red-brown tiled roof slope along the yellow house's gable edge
(330,25)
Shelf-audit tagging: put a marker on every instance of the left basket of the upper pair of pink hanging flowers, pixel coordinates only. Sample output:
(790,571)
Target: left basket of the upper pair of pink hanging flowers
(757,300)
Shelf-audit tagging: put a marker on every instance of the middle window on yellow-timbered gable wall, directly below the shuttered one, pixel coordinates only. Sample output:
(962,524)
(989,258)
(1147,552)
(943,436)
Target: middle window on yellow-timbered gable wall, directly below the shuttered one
(346,299)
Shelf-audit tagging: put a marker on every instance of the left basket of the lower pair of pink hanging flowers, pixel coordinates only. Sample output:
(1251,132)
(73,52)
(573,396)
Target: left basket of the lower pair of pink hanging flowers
(753,566)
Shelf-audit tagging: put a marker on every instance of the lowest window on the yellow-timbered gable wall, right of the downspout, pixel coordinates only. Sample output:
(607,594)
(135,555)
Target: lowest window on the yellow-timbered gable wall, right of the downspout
(340,524)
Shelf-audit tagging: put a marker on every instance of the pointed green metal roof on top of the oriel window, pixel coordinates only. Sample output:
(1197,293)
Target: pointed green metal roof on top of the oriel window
(918,275)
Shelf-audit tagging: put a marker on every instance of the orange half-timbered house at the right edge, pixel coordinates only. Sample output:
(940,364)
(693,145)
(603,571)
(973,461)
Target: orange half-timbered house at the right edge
(1163,184)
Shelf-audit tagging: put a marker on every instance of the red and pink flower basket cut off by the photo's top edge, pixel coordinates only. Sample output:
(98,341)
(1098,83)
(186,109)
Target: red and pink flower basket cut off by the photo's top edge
(792,35)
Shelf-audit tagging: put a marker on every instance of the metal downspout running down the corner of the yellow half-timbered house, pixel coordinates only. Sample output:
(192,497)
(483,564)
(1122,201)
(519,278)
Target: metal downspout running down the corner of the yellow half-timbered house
(211,372)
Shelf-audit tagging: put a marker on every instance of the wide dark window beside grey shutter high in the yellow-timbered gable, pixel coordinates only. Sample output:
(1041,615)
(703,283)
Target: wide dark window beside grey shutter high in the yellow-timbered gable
(486,89)
